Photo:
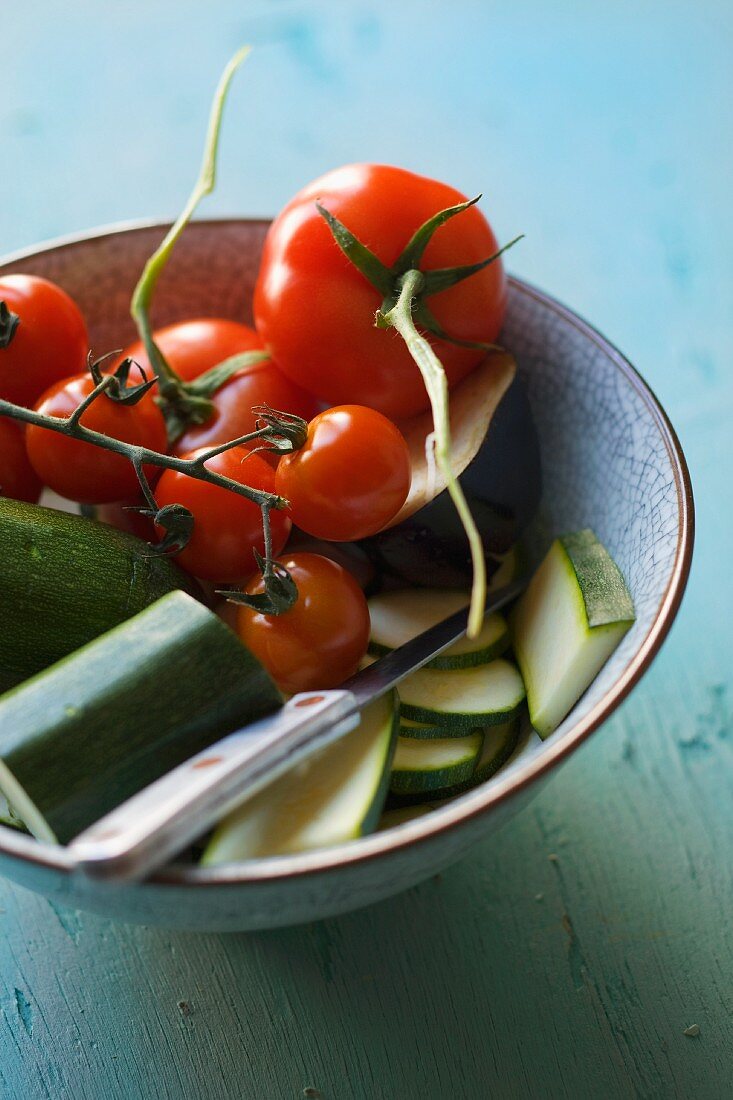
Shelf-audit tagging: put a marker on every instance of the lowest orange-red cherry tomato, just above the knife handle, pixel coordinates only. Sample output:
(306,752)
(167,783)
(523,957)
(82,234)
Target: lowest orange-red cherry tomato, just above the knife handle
(322,640)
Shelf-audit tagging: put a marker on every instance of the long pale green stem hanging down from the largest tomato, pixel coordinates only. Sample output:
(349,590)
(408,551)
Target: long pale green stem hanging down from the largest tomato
(434,376)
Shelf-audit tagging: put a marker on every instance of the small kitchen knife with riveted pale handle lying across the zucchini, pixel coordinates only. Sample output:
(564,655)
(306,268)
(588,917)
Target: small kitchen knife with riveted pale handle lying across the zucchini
(163,819)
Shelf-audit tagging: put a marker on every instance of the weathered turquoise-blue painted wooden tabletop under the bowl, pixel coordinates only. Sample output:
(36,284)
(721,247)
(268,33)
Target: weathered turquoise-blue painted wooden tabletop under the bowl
(601,131)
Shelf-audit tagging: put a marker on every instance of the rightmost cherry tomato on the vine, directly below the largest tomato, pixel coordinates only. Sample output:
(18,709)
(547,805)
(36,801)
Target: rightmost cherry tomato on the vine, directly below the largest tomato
(351,478)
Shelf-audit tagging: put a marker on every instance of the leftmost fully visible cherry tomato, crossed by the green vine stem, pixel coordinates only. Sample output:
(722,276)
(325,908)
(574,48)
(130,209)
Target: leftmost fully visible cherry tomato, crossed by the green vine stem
(83,471)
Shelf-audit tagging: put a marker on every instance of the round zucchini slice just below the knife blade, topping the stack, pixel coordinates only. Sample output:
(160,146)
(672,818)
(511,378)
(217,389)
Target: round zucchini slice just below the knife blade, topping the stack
(463,699)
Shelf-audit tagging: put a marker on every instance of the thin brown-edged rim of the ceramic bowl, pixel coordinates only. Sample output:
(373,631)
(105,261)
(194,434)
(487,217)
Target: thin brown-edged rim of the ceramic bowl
(502,789)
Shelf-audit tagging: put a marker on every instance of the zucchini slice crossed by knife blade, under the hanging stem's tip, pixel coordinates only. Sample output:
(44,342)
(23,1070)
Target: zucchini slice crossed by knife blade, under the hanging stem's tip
(399,617)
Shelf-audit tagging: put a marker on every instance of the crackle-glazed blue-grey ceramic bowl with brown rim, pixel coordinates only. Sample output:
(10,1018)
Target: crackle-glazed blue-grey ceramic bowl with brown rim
(610,460)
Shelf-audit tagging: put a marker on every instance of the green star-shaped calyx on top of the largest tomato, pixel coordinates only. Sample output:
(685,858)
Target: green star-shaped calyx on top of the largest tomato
(389,281)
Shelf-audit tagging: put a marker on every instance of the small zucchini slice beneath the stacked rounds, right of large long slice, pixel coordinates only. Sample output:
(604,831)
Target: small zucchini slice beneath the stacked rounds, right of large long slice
(430,767)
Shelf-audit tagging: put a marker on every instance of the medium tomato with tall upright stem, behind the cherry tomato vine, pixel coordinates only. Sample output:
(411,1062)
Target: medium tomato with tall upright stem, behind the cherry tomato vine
(195,347)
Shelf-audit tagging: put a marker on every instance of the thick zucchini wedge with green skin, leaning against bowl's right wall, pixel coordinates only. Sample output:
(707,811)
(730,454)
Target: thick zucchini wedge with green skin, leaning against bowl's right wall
(567,624)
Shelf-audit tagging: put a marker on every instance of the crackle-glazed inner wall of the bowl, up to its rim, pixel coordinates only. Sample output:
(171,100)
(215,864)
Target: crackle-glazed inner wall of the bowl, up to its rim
(610,461)
